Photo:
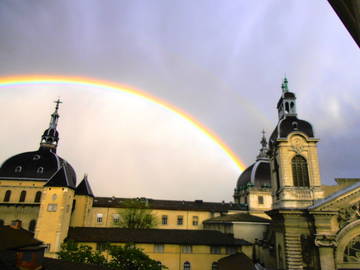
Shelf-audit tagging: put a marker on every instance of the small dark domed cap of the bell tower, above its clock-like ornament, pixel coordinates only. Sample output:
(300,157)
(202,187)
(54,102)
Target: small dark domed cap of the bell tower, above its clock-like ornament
(290,124)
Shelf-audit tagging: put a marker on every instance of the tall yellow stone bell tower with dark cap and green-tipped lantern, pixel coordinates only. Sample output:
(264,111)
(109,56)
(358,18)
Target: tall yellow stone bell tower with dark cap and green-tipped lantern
(293,157)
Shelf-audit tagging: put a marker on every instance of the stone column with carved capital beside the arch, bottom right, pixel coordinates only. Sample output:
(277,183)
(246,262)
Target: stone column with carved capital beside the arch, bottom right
(326,244)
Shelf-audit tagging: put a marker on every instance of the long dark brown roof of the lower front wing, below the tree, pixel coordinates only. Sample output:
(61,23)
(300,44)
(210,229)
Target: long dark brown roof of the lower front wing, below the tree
(153,236)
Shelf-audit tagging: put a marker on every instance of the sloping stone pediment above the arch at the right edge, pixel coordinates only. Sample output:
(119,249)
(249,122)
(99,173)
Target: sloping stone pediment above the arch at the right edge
(337,201)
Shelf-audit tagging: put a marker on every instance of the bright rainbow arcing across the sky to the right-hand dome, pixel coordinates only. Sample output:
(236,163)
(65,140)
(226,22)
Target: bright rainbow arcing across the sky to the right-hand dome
(83,81)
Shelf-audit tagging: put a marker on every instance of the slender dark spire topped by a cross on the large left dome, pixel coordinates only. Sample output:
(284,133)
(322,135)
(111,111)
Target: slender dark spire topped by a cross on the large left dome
(50,137)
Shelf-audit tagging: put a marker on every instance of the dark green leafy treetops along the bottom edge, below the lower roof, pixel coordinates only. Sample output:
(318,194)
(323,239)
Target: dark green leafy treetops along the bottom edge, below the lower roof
(122,257)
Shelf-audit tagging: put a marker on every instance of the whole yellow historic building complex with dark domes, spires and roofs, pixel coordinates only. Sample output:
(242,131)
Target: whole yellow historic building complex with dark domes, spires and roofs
(282,216)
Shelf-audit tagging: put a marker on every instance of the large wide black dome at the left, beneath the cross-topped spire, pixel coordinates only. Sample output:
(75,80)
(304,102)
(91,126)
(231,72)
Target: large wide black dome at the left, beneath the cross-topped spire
(36,165)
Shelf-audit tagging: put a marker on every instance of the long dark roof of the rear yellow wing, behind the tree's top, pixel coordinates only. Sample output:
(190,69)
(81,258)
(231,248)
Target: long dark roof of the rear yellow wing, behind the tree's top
(197,205)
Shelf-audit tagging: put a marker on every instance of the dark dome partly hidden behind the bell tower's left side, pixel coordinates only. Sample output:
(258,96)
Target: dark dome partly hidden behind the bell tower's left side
(257,174)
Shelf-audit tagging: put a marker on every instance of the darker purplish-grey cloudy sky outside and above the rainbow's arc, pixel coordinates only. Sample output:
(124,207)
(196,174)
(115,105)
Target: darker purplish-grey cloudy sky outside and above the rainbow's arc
(221,61)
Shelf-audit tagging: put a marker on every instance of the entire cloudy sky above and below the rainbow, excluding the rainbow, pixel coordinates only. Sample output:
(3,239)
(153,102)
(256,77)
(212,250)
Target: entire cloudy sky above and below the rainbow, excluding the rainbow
(220,61)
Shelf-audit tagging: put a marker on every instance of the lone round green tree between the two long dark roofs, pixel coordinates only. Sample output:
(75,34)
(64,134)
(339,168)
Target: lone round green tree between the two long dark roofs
(136,215)
